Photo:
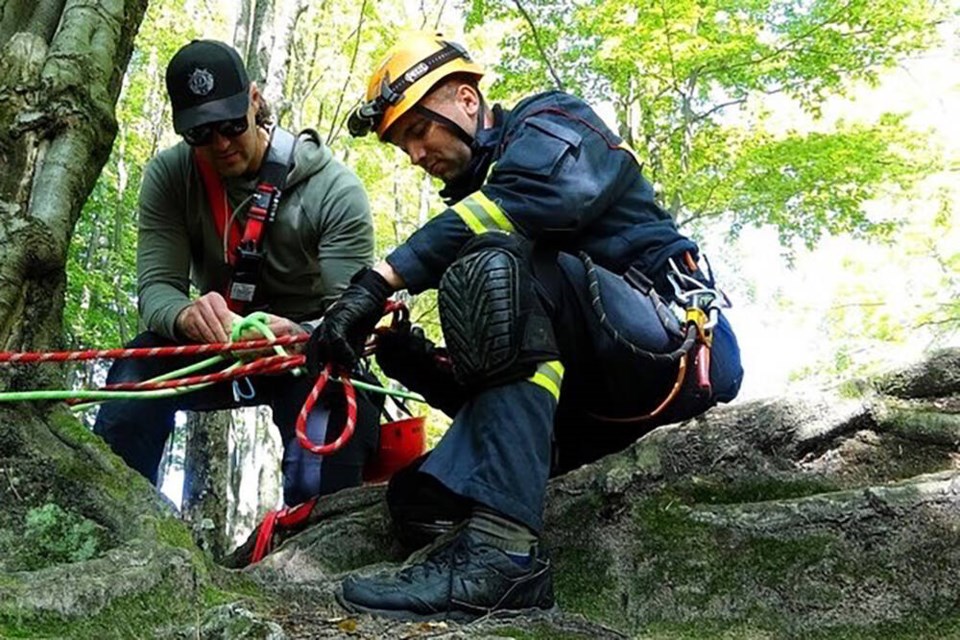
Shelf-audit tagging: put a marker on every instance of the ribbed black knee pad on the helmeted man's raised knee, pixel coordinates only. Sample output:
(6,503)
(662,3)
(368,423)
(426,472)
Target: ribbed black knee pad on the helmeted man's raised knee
(494,324)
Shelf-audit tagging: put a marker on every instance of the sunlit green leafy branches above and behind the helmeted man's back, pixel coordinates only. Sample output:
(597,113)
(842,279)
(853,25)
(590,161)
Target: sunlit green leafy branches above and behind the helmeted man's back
(691,81)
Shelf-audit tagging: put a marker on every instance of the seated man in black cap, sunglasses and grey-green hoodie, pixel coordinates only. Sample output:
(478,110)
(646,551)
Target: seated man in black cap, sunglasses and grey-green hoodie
(205,218)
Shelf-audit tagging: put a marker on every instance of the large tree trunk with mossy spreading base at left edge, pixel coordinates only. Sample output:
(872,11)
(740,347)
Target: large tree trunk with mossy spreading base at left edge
(79,531)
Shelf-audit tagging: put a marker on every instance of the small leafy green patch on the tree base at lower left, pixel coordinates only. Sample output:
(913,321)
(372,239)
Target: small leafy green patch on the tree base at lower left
(52,535)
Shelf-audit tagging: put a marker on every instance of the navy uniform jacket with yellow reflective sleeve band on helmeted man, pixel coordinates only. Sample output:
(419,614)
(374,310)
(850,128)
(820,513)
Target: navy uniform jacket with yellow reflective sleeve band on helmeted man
(552,171)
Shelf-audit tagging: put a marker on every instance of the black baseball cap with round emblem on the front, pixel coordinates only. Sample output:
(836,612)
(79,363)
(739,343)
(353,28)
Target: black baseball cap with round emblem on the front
(207,82)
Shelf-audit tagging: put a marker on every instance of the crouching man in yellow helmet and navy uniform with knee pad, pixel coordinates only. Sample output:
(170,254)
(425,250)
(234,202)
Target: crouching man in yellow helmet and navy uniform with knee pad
(554,268)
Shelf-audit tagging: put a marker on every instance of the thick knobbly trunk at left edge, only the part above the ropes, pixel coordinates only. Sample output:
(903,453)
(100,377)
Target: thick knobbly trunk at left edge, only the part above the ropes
(57,125)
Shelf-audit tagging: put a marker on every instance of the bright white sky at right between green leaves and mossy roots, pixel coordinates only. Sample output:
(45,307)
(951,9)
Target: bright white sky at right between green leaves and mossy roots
(799,319)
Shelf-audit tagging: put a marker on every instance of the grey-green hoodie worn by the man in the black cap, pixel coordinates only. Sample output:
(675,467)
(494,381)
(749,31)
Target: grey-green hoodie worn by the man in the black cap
(323,234)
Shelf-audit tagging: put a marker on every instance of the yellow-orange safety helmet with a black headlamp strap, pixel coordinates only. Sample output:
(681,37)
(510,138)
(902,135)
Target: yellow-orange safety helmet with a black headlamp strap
(409,70)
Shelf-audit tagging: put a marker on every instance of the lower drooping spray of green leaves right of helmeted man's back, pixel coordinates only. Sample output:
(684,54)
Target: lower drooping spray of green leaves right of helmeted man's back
(807,185)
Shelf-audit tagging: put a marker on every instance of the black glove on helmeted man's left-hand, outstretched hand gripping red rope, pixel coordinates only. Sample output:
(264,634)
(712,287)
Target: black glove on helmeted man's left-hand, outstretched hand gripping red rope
(341,335)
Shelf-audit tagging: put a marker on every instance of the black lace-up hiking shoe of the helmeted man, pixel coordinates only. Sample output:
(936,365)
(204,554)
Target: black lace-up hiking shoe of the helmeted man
(459,578)
